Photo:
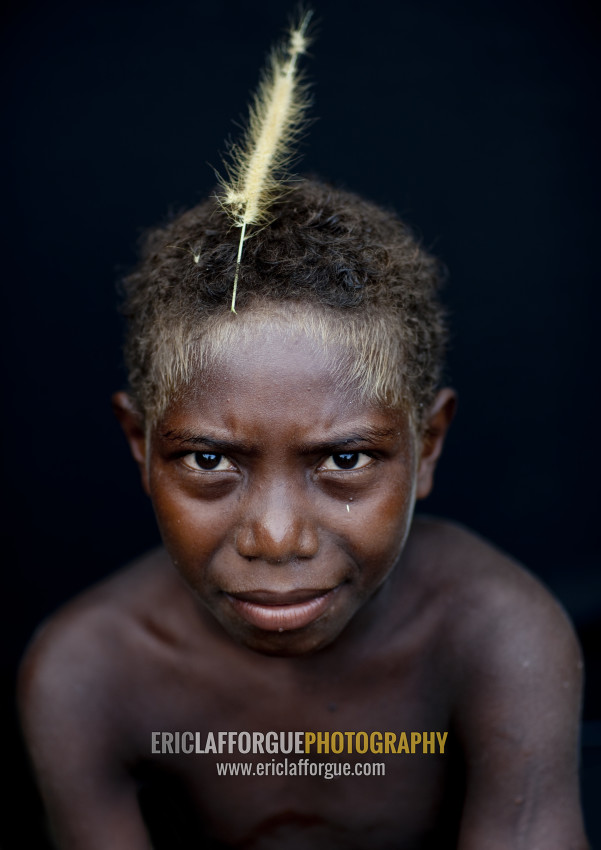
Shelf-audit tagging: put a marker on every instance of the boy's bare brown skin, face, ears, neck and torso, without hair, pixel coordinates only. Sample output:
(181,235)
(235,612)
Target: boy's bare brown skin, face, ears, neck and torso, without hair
(296,592)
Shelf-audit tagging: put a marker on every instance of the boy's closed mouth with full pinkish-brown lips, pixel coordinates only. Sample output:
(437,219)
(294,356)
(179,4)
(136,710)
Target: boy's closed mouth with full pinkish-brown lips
(280,612)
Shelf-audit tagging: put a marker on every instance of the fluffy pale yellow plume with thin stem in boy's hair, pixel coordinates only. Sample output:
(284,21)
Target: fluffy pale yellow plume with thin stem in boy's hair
(255,168)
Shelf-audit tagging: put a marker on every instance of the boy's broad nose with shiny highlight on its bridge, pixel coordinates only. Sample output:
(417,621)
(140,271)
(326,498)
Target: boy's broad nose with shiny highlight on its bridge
(277,529)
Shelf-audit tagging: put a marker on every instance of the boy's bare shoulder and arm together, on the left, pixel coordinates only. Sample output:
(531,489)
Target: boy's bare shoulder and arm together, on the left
(80,699)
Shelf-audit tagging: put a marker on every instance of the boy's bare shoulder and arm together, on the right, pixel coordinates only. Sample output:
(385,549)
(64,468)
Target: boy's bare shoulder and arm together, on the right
(513,671)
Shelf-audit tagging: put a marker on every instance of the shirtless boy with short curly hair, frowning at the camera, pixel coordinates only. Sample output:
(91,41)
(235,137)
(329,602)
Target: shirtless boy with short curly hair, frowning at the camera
(298,619)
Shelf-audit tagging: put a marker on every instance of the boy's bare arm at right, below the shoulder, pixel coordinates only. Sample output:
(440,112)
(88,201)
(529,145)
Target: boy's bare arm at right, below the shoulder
(518,719)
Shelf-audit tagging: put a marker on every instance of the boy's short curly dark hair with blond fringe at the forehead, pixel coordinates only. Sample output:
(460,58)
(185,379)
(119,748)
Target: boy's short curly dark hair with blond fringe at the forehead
(345,270)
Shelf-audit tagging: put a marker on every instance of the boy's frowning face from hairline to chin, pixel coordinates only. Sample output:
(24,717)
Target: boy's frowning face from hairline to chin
(283,502)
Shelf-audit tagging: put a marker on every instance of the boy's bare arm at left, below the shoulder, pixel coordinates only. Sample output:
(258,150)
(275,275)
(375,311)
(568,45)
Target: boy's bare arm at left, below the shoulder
(74,734)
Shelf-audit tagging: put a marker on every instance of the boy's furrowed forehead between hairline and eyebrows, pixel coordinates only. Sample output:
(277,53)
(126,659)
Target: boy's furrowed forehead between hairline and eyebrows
(281,376)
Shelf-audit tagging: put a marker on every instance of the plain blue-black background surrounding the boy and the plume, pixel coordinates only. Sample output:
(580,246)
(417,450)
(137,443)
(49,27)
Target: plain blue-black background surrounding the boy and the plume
(477,121)
